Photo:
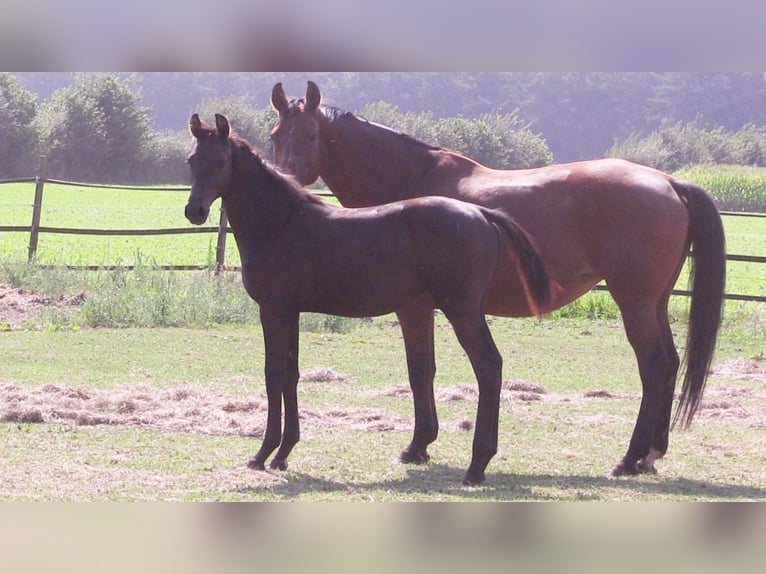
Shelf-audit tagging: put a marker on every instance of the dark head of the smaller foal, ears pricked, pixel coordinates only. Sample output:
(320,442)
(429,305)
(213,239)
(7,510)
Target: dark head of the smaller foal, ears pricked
(210,164)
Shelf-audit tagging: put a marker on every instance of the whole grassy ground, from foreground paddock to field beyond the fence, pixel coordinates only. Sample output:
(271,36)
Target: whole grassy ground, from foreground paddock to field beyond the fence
(139,413)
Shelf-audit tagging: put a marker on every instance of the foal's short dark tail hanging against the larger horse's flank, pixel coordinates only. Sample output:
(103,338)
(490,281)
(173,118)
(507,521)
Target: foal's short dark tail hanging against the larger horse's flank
(534,274)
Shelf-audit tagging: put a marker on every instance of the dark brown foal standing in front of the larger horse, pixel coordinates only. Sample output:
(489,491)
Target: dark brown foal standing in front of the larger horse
(300,253)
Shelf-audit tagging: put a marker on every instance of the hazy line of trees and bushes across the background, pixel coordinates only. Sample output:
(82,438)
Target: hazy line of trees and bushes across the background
(115,127)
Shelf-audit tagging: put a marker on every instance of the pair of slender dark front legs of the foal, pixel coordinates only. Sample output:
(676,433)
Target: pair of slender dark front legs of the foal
(280,334)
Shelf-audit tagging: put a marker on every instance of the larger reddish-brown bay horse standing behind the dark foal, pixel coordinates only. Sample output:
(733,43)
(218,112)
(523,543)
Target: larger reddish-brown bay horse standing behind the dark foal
(607,219)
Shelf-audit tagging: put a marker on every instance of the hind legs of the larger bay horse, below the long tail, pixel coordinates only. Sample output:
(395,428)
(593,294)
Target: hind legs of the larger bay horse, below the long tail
(649,333)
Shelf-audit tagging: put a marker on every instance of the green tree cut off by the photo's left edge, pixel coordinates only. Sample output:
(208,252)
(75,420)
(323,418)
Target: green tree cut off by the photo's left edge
(18,139)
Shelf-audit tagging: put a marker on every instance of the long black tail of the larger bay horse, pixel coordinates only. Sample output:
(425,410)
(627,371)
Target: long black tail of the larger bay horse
(707,285)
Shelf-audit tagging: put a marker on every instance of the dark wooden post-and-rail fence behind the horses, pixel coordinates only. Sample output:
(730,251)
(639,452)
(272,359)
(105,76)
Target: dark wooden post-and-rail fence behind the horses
(222,230)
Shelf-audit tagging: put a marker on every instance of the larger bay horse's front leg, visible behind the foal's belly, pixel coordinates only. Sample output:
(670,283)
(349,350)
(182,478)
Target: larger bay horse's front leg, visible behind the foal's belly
(417,324)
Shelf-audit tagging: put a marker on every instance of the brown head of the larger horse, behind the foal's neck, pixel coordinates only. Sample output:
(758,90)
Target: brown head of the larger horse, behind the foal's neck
(296,135)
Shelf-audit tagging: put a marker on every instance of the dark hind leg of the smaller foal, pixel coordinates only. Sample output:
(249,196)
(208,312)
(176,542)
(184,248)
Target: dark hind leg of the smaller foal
(474,336)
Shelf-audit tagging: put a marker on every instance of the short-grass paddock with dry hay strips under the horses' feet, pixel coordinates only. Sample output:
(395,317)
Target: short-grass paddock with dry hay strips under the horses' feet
(174,414)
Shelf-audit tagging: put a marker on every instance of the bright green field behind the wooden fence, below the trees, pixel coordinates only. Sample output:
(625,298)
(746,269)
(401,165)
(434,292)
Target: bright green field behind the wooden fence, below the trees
(83,207)
